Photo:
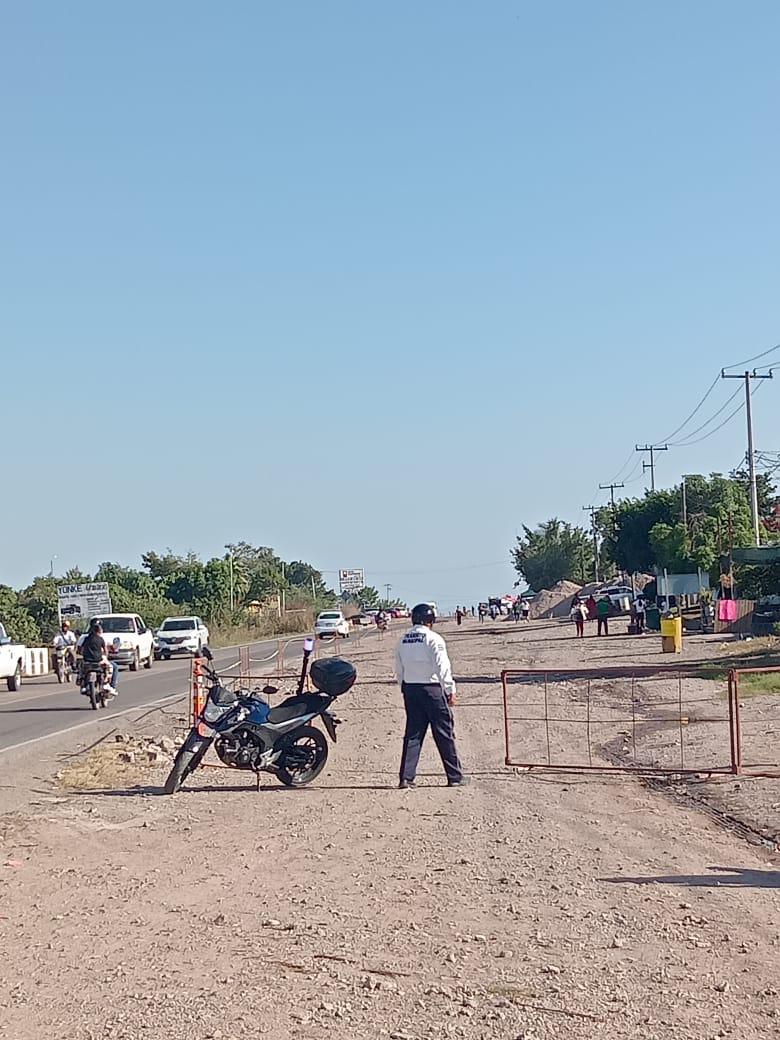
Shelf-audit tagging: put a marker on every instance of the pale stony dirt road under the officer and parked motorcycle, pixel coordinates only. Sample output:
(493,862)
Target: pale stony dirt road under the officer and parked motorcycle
(534,906)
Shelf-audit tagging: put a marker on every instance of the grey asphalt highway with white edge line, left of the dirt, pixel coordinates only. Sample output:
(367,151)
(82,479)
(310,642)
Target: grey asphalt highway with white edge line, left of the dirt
(44,709)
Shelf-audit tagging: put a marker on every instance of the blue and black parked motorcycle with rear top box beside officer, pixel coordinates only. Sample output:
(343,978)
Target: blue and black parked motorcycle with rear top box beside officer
(249,735)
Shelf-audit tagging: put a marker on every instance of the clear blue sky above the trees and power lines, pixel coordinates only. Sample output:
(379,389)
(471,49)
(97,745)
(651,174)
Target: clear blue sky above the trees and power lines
(374,284)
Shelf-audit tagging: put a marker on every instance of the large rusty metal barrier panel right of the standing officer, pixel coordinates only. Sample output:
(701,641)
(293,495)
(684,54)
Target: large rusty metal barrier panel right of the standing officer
(663,720)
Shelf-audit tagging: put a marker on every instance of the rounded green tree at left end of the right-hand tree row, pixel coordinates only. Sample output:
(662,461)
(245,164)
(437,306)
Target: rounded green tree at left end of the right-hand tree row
(554,552)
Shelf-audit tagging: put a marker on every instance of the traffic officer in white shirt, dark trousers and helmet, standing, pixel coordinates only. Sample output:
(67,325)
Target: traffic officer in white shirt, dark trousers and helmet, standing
(425,673)
